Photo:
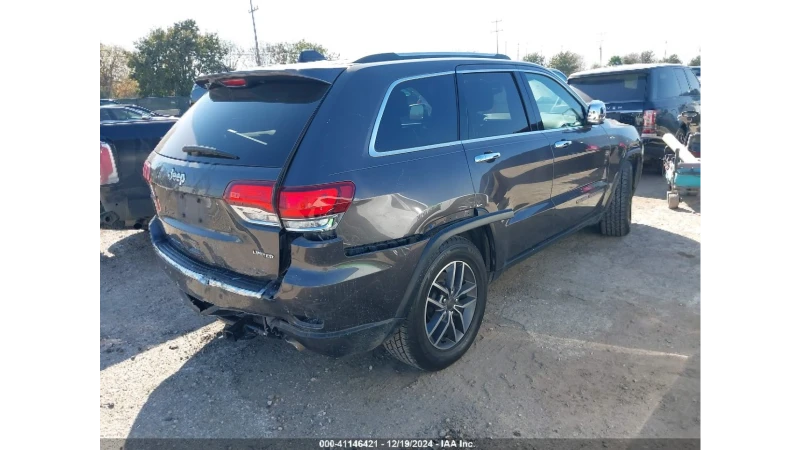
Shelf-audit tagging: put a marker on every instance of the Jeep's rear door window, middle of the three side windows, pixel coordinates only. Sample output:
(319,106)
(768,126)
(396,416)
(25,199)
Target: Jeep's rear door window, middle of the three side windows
(492,105)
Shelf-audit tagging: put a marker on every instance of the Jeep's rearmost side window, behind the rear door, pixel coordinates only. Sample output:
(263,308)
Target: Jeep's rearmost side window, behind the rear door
(418,113)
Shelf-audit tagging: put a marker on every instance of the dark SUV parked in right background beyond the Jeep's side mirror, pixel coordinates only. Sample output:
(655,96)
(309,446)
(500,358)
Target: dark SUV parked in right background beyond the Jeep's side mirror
(655,98)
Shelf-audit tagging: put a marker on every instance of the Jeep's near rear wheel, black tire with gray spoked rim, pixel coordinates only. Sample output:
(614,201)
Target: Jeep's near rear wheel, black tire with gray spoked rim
(447,313)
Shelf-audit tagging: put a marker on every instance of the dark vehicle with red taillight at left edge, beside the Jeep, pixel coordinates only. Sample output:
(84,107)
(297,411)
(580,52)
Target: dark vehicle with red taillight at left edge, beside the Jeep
(124,145)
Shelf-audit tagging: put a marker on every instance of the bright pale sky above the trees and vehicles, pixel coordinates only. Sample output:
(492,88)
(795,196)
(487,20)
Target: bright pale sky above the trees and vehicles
(355,28)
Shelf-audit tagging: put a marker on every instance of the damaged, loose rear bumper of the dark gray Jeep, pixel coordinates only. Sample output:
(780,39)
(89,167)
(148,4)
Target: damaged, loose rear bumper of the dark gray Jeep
(333,310)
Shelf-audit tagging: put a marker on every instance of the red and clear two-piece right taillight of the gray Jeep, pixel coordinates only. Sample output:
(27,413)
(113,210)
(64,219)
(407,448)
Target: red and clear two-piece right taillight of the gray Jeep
(312,208)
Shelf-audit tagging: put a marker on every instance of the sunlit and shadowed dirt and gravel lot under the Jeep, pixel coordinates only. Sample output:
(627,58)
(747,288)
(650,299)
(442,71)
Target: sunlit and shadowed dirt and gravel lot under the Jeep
(593,337)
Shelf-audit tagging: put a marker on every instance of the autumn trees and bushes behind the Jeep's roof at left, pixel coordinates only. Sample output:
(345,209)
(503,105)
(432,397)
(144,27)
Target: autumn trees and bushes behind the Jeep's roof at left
(166,61)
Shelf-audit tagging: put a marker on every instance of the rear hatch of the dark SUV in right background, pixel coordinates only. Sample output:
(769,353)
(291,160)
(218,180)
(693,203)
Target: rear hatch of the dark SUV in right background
(623,93)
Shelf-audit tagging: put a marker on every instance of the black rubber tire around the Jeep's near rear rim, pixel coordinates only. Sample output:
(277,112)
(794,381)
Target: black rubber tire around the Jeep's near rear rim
(410,343)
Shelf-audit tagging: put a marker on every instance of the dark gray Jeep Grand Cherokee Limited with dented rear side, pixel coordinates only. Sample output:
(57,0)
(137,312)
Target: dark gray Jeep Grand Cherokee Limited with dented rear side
(345,205)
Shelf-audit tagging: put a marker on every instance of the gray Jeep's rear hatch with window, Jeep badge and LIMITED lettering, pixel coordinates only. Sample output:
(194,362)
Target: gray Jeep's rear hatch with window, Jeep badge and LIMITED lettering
(229,147)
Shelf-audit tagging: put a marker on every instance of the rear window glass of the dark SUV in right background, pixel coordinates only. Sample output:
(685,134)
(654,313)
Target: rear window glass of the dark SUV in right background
(611,88)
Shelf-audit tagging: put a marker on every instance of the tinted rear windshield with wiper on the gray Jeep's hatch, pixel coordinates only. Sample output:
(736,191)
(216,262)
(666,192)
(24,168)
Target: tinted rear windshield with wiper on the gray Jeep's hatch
(259,125)
